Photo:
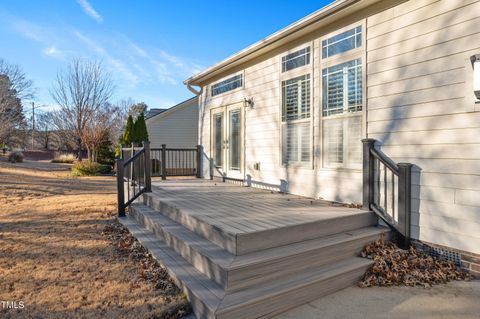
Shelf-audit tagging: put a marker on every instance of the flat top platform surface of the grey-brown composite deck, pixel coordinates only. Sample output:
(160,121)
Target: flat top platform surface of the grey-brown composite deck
(238,209)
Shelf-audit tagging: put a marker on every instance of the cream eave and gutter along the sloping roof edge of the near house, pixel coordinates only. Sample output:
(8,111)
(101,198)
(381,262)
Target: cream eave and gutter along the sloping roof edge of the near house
(326,11)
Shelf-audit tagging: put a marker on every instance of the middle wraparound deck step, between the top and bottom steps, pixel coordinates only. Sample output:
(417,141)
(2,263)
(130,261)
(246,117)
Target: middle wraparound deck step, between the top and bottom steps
(238,272)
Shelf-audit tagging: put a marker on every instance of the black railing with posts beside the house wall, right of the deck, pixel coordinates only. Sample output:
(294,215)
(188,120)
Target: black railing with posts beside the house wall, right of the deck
(387,190)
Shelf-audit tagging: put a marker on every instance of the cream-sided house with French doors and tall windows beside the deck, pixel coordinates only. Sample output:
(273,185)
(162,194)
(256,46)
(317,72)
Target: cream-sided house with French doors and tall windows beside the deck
(290,111)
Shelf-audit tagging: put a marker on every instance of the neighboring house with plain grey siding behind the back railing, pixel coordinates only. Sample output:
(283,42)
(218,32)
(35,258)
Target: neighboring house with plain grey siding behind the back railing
(176,127)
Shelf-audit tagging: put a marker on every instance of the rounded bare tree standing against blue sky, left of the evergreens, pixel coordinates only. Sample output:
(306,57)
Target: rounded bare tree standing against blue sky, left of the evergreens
(80,91)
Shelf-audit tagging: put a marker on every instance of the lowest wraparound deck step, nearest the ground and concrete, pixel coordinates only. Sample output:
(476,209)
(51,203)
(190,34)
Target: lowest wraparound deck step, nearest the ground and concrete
(210,300)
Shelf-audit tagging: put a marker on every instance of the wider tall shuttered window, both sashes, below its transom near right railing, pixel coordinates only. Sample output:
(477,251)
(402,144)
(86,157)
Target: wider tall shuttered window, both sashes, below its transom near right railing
(342,97)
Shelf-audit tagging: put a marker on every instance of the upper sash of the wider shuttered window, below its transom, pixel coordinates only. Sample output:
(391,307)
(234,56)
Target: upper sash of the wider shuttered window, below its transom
(342,88)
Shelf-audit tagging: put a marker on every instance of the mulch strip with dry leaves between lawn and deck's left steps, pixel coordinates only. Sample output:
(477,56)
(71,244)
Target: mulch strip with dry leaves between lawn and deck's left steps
(148,268)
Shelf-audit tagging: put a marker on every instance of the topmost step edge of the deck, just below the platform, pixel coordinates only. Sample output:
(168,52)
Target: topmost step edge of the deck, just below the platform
(254,241)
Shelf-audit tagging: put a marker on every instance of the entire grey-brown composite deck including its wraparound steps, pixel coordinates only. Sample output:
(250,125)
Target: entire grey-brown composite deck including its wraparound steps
(243,252)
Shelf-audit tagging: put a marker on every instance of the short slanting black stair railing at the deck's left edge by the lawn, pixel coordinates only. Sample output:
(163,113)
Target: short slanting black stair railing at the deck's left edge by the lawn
(133,176)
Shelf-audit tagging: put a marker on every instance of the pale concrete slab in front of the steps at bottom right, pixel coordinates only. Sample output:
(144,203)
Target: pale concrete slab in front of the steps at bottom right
(456,300)
